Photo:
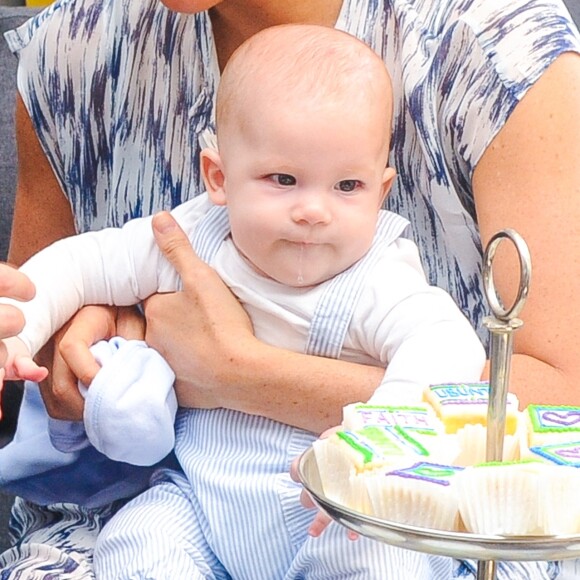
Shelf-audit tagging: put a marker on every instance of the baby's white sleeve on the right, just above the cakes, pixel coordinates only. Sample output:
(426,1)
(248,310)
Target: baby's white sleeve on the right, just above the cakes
(417,330)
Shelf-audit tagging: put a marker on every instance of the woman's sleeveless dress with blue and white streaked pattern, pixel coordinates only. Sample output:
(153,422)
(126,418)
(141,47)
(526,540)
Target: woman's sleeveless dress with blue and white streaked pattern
(119,92)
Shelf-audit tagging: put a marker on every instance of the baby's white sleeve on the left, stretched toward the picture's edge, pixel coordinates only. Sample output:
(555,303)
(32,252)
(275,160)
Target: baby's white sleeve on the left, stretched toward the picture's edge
(115,266)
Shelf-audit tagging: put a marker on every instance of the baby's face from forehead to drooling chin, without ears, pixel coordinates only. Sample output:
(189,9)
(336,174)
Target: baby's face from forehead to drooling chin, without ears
(304,189)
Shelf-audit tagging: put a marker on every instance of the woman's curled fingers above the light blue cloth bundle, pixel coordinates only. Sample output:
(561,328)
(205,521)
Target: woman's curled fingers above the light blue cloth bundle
(72,360)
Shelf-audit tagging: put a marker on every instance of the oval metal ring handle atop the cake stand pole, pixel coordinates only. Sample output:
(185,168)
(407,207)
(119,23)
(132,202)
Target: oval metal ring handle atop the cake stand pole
(493,299)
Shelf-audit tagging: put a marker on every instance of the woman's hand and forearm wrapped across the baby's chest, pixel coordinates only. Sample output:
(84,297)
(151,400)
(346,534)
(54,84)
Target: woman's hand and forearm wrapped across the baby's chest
(207,338)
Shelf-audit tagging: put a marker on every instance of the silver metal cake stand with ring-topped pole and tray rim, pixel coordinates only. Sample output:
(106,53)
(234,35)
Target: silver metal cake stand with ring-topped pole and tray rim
(487,550)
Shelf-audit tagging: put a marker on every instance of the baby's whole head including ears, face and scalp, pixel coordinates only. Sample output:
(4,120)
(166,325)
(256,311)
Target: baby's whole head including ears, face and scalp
(303,130)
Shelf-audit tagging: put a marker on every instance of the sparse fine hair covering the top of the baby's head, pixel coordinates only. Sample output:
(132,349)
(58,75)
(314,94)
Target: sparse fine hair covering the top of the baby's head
(295,67)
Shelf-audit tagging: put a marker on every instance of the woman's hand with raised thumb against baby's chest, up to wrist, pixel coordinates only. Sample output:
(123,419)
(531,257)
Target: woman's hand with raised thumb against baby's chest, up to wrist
(201,331)
